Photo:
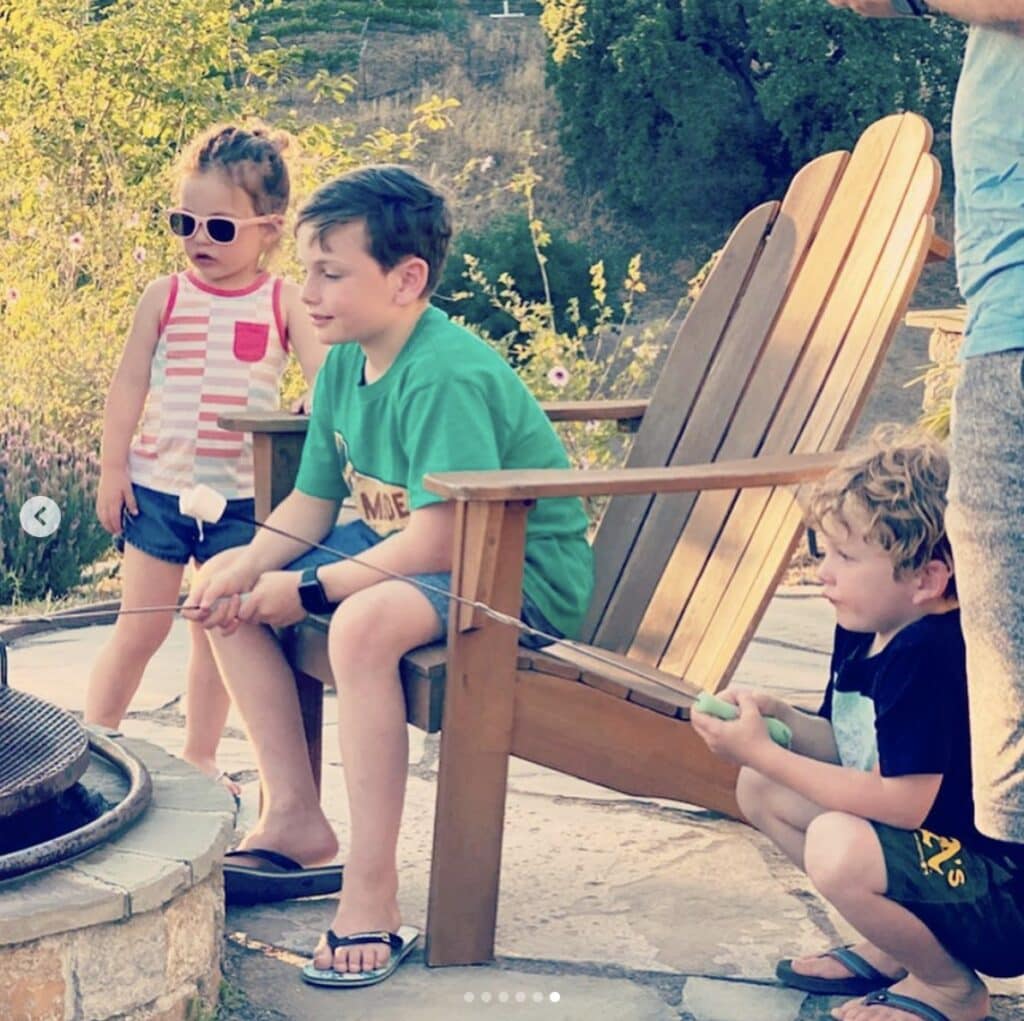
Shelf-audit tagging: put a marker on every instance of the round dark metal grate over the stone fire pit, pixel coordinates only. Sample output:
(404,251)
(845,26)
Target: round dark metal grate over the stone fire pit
(44,752)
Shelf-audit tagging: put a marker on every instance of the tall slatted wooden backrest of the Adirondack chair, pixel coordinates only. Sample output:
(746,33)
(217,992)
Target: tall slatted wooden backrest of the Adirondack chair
(777,356)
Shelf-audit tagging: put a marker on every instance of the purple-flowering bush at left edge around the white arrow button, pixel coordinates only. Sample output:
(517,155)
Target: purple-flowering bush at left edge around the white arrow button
(36,461)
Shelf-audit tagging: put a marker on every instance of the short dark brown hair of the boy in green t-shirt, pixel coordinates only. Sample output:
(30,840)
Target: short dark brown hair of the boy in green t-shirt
(404,216)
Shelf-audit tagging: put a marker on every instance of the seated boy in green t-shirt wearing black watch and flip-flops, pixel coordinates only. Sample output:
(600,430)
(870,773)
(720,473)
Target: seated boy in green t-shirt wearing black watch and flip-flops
(403,393)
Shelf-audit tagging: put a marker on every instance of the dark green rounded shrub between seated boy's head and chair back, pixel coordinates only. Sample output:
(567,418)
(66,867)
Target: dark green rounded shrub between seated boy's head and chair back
(505,247)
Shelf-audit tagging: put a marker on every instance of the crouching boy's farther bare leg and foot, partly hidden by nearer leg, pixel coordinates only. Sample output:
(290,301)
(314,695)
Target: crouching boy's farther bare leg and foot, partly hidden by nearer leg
(784,816)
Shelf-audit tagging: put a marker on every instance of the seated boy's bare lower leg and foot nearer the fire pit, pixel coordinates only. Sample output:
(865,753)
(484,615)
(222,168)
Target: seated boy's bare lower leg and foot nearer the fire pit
(264,688)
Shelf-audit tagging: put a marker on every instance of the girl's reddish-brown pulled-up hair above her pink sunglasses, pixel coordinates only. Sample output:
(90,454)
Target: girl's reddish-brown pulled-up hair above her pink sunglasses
(250,157)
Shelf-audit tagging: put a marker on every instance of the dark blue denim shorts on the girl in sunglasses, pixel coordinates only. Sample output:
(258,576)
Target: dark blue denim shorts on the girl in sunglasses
(163,532)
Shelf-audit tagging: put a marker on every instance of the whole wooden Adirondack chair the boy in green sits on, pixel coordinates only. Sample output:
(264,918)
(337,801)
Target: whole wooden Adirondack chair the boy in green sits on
(763,385)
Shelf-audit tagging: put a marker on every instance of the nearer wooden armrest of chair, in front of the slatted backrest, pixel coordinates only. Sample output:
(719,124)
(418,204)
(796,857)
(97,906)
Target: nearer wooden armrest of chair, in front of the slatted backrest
(492,487)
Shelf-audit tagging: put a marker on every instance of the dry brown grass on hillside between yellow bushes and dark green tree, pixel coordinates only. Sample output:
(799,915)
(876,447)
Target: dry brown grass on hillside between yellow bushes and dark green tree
(497,73)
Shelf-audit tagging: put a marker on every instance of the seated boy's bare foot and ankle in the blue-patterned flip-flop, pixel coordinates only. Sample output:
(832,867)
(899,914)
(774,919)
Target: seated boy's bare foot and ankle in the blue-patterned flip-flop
(363,907)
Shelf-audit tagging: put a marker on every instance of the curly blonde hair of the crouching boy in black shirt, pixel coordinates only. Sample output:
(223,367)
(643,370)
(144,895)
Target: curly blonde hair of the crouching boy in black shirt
(893,491)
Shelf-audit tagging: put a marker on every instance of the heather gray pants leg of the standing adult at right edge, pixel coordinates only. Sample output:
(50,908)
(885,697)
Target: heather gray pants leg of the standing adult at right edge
(986,523)
